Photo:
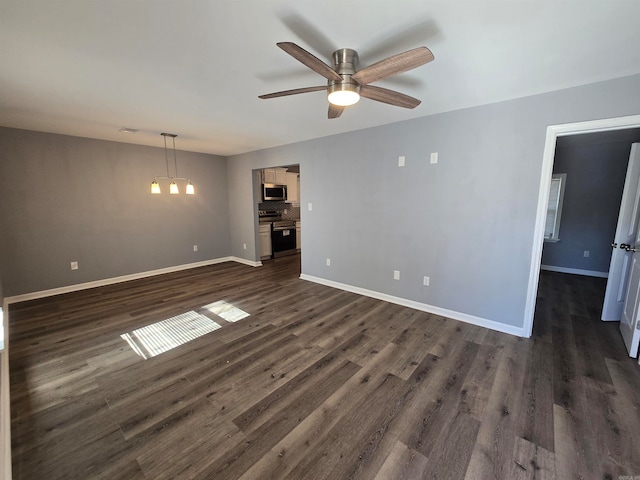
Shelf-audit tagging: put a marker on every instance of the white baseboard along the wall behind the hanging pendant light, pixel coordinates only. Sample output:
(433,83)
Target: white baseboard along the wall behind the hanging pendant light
(124,278)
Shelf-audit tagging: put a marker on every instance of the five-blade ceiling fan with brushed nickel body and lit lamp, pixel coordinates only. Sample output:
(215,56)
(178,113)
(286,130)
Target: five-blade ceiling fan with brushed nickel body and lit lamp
(346,84)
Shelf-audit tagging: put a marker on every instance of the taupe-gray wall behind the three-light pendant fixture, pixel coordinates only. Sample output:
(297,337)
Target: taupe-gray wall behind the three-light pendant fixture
(66,199)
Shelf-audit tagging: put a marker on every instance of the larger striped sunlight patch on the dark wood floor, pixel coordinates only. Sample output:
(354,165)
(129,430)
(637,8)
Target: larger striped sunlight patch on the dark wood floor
(162,336)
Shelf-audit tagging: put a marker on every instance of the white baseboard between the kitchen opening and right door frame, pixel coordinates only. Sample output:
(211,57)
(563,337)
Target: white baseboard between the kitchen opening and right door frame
(463,317)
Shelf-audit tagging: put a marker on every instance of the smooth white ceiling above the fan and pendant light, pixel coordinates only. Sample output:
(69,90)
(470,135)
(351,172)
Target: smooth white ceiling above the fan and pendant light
(196,68)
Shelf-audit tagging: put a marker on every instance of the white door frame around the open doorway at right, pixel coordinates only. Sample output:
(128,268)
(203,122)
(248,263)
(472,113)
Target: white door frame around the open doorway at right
(553,132)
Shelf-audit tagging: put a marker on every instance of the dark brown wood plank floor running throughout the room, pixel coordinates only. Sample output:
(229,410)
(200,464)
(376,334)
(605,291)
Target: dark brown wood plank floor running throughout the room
(317,383)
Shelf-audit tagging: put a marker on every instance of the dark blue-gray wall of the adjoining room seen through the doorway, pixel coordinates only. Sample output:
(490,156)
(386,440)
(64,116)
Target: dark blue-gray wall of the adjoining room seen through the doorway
(595,179)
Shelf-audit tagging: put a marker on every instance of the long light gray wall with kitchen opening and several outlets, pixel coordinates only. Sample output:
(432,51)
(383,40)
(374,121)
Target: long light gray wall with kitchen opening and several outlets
(466,222)
